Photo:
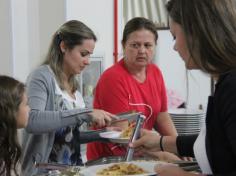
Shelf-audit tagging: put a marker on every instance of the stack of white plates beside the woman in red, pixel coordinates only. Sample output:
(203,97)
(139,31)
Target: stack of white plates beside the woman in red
(187,121)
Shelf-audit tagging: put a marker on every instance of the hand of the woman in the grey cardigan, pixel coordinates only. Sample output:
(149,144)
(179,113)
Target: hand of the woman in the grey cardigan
(101,118)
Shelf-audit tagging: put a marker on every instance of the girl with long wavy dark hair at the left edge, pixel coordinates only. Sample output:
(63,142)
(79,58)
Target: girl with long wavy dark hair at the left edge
(13,115)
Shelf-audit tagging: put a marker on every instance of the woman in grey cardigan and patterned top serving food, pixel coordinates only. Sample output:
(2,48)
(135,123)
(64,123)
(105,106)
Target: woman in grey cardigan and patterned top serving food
(57,107)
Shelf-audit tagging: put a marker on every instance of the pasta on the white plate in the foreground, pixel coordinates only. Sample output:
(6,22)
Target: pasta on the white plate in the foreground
(120,169)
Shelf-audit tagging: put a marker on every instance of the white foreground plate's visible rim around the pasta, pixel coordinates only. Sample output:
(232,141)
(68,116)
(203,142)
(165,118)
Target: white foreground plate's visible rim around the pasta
(146,165)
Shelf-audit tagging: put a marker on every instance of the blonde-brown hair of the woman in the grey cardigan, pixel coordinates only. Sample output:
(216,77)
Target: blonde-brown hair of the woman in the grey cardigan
(72,33)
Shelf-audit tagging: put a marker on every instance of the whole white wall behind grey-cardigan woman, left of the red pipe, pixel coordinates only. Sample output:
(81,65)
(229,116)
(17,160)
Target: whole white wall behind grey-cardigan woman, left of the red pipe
(28,25)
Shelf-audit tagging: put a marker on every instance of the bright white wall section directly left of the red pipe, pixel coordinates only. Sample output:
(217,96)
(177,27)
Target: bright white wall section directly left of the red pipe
(98,15)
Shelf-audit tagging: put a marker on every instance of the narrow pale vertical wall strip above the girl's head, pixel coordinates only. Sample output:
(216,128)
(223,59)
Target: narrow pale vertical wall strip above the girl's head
(20,40)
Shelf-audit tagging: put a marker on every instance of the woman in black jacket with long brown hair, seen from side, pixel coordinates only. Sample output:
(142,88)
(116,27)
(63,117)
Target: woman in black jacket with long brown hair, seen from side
(205,37)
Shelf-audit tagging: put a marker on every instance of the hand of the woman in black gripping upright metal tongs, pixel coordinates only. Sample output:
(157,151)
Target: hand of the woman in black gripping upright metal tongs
(149,140)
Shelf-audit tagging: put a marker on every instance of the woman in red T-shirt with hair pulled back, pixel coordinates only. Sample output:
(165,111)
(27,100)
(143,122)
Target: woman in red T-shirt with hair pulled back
(134,83)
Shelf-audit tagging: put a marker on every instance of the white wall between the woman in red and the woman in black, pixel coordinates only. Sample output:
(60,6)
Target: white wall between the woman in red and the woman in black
(175,76)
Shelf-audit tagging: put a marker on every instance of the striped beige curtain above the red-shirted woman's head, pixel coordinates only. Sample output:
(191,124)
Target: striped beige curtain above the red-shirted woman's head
(151,9)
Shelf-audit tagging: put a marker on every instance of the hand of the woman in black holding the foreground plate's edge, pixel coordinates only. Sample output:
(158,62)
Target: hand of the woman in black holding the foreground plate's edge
(171,170)
